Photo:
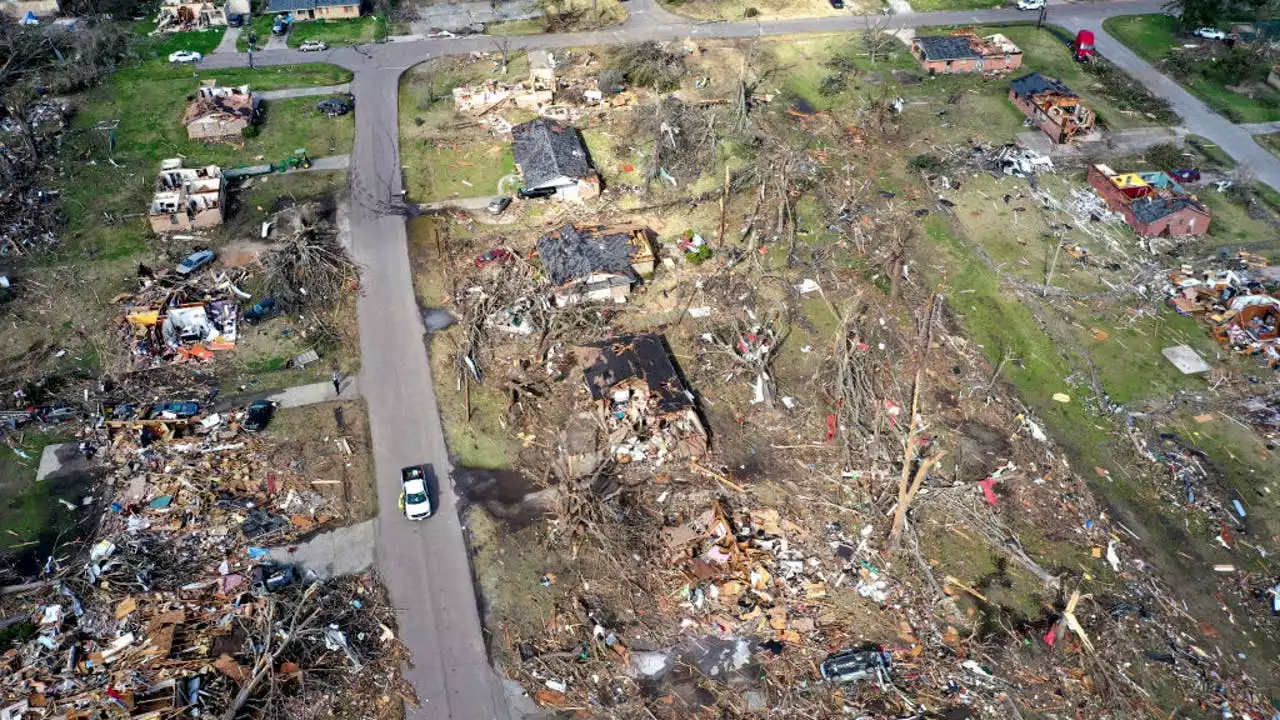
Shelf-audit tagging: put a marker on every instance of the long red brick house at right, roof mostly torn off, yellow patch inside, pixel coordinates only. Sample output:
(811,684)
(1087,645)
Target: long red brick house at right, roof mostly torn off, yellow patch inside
(1153,204)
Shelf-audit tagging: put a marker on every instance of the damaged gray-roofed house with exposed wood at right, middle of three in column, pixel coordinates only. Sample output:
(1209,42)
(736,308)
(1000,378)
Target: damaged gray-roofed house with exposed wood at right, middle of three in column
(596,263)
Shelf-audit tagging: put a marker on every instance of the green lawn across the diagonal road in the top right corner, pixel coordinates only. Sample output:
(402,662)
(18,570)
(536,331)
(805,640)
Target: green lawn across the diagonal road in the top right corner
(1155,38)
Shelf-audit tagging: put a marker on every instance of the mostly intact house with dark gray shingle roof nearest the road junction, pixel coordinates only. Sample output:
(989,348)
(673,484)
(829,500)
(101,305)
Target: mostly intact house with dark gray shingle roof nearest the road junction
(551,156)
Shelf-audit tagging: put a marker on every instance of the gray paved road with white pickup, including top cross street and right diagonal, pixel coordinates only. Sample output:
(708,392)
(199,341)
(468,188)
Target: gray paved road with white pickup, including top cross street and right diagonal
(427,566)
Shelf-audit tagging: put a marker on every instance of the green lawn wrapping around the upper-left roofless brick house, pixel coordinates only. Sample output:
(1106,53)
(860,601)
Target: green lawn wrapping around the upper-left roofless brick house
(103,200)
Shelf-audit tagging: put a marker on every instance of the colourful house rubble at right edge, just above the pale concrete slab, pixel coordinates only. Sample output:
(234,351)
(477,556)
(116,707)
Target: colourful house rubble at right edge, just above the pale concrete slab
(1237,302)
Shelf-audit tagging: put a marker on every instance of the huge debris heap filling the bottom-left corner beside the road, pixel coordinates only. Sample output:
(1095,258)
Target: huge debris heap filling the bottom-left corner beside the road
(177,603)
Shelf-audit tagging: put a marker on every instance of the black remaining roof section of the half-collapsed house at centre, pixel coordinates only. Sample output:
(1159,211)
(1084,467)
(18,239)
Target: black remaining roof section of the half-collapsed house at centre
(644,357)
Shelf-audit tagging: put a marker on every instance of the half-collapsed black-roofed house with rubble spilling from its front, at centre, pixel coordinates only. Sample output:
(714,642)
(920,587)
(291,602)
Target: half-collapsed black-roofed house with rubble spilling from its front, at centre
(642,403)
